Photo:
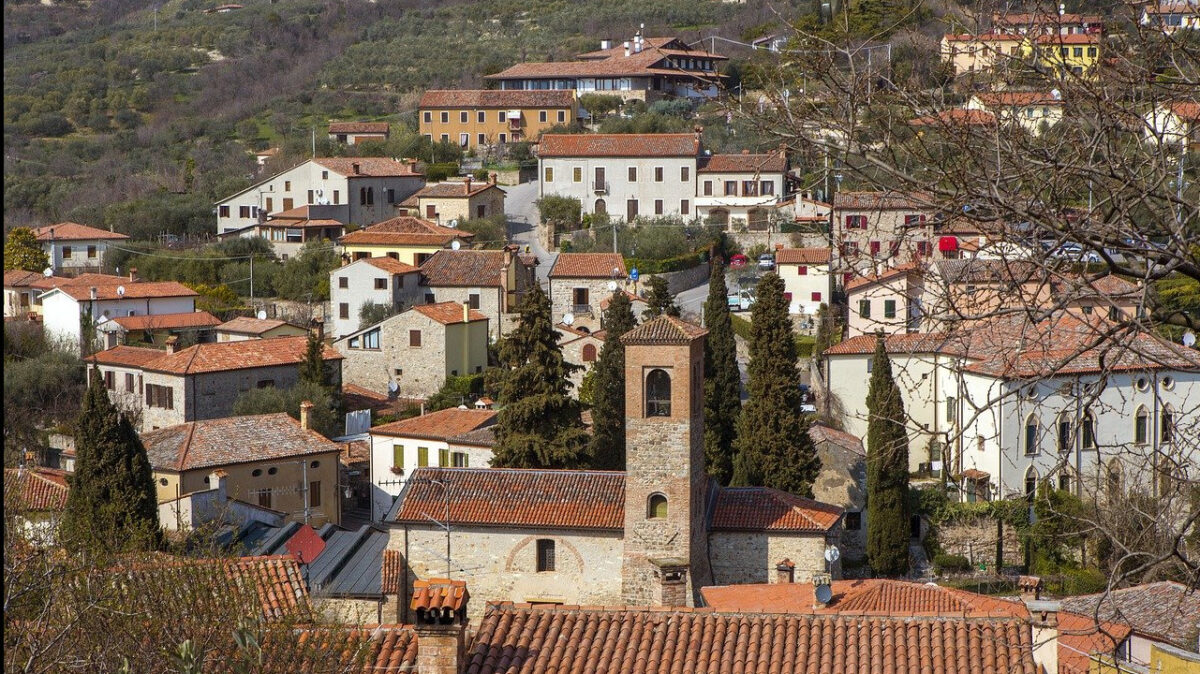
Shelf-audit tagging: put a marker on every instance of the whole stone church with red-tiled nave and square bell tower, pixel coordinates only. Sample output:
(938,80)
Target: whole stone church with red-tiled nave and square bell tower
(652,535)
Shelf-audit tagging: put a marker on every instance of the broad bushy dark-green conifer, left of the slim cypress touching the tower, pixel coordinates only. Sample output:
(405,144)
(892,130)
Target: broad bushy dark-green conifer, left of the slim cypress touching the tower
(539,424)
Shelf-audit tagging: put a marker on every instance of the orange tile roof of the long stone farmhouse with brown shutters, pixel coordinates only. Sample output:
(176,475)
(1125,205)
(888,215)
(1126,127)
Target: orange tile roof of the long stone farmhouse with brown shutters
(224,357)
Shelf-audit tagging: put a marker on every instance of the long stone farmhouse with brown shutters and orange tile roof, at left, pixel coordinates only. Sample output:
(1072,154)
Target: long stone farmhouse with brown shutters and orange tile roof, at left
(199,383)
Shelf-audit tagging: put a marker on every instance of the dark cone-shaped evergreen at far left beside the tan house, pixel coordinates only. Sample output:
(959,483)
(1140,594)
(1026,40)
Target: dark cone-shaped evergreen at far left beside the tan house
(112,505)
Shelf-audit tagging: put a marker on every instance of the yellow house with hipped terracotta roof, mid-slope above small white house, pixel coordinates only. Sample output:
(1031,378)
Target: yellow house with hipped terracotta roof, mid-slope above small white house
(407,239)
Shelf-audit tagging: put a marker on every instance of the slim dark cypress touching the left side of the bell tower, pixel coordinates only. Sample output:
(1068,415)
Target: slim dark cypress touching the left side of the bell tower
(609,388)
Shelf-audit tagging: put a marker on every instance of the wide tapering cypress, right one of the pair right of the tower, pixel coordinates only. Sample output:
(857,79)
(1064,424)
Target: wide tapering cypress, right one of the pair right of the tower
(773,444)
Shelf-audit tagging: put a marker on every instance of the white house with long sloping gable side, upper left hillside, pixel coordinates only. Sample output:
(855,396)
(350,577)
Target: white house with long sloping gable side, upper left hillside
(367,189)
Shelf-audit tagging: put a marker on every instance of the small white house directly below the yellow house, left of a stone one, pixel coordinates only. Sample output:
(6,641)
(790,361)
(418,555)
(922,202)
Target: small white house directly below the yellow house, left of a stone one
(383,281)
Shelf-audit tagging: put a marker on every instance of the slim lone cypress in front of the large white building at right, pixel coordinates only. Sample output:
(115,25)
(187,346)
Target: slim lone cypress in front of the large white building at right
(887,472)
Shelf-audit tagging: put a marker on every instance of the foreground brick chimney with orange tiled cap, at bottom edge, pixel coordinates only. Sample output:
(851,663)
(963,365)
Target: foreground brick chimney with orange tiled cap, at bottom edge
(441,624)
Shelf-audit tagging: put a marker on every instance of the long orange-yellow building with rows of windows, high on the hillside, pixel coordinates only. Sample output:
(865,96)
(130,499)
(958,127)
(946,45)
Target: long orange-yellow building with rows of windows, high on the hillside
(473,118)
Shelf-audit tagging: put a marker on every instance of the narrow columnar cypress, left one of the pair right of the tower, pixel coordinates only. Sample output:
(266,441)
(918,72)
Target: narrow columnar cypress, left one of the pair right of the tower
(723,381)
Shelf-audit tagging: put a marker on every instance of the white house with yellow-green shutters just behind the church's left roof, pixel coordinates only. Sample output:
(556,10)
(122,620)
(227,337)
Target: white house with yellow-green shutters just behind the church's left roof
(398,449)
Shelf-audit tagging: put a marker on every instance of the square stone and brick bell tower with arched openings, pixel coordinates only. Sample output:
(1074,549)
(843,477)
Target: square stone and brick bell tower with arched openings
(665,557)
